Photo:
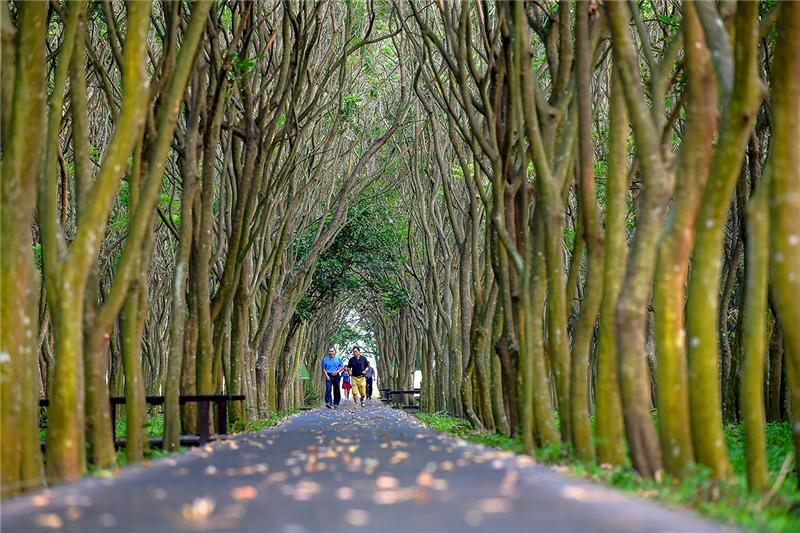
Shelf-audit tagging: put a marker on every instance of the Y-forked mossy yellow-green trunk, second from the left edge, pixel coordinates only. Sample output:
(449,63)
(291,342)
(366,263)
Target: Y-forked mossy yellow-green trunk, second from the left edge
(67,272)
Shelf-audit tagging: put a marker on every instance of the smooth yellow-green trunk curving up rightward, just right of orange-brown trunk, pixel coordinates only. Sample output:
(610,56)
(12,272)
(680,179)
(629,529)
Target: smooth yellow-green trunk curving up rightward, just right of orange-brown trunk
(702,305)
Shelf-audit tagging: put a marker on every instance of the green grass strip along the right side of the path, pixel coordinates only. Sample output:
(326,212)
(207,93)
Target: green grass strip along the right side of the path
(727,501)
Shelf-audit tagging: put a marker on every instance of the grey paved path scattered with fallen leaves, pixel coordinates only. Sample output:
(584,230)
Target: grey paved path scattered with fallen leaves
(371,469)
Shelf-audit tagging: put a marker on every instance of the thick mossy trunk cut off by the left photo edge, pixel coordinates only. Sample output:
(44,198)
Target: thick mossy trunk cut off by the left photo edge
(23,127)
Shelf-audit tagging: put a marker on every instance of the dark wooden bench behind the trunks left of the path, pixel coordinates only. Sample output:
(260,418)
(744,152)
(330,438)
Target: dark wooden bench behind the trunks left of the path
(204,401)
